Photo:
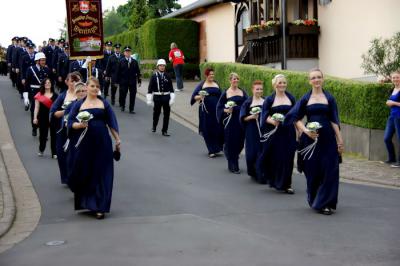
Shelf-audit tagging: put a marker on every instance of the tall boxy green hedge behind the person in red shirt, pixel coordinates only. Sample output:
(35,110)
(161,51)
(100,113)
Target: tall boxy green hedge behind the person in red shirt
(153,39)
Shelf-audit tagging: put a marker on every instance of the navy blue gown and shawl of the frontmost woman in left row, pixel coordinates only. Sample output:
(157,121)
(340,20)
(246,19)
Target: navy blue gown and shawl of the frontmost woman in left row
(92,174)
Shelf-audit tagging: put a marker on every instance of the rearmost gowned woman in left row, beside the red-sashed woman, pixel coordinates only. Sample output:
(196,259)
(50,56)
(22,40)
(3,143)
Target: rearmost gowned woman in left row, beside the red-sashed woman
(56,116)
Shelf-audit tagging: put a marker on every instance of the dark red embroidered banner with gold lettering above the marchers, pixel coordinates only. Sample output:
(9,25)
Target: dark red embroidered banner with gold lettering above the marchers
(85,28)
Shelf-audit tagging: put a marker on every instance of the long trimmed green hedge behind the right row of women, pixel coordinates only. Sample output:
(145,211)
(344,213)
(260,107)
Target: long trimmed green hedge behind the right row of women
(360,103)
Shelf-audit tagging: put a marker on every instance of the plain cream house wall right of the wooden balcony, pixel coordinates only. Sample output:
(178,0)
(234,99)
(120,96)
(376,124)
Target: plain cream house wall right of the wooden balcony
(347,27)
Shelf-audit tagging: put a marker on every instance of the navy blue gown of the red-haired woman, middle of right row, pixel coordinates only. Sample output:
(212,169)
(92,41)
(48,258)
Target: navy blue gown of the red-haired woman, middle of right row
(252,137)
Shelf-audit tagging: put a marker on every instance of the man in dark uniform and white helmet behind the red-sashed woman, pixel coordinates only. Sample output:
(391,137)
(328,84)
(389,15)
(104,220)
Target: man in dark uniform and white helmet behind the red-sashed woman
(34,77)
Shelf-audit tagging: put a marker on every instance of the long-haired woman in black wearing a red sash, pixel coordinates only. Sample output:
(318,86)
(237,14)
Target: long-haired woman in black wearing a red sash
(43,101)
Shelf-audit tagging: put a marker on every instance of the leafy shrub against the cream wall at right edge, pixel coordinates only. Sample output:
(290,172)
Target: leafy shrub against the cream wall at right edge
(383,57)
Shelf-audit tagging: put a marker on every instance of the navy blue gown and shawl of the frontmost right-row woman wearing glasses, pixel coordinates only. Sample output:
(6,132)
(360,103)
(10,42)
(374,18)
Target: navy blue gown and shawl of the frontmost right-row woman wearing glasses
(322,169)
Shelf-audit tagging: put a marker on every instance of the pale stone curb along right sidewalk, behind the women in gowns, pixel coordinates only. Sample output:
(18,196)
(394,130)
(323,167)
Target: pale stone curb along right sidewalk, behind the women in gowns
(392,184)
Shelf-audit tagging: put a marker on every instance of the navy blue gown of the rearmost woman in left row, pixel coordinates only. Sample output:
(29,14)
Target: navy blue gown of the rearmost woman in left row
(61,136)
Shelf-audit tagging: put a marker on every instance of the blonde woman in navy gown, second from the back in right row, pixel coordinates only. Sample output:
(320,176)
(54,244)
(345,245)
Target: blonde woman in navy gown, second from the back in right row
(228,109)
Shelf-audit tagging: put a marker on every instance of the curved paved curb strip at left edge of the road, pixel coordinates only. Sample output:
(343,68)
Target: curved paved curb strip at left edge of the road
(23,213)
